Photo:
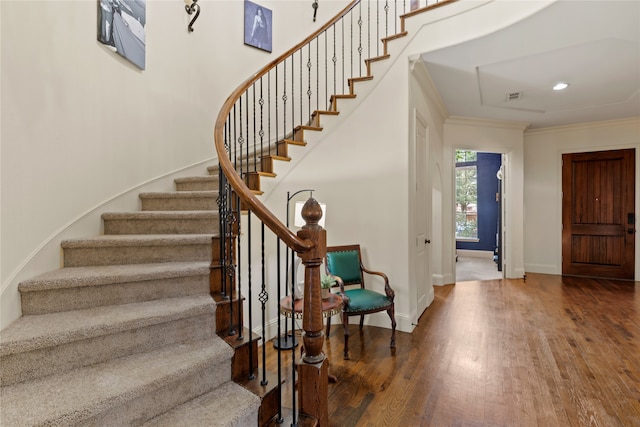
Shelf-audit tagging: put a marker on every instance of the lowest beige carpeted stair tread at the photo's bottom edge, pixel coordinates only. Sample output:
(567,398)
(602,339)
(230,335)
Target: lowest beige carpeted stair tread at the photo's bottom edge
(228,405)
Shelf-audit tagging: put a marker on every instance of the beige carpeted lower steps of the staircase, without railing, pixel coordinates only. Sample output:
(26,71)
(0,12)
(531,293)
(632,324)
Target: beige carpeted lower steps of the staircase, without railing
(125,332)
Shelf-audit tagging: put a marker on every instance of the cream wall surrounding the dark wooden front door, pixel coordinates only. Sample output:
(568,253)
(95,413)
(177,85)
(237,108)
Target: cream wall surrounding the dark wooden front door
(543,151)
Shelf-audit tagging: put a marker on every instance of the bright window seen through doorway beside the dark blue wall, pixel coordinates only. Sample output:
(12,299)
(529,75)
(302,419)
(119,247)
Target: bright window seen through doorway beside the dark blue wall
(466,195)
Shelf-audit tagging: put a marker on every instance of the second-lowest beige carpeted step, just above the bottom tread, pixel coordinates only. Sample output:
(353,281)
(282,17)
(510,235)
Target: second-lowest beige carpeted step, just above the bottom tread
(86,393)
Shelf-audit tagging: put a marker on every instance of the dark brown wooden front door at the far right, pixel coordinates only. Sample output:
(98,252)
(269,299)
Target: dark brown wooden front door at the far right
(598,214)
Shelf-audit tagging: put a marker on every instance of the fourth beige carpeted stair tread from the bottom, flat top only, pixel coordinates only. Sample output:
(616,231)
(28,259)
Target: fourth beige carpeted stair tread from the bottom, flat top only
(72,277)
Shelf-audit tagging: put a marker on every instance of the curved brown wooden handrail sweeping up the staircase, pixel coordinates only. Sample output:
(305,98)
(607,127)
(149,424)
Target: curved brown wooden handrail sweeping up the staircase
(243,191)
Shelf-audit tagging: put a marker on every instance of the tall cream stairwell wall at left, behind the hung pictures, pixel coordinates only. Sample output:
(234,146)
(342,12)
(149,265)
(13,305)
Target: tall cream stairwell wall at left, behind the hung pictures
(81,125)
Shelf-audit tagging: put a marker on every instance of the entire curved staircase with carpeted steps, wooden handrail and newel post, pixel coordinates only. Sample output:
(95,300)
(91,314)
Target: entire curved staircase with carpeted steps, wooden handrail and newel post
(129,331)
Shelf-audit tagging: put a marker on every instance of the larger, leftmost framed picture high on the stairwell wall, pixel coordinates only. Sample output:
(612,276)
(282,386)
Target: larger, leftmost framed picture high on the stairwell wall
(121,27)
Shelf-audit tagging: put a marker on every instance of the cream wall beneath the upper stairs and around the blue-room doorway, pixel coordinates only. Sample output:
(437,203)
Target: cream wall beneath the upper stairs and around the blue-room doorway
(359,165)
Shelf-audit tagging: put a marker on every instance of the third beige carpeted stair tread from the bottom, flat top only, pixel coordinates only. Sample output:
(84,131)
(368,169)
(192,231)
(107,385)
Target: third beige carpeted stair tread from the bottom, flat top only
(47,330)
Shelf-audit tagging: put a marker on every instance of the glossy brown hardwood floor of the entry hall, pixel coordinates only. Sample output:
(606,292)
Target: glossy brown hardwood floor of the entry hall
(548,351)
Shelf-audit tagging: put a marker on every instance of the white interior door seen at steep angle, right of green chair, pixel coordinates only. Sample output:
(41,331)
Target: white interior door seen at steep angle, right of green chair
(423,218)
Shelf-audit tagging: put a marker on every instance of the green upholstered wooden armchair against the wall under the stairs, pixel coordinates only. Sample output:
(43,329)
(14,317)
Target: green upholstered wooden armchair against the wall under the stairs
(345,264)
